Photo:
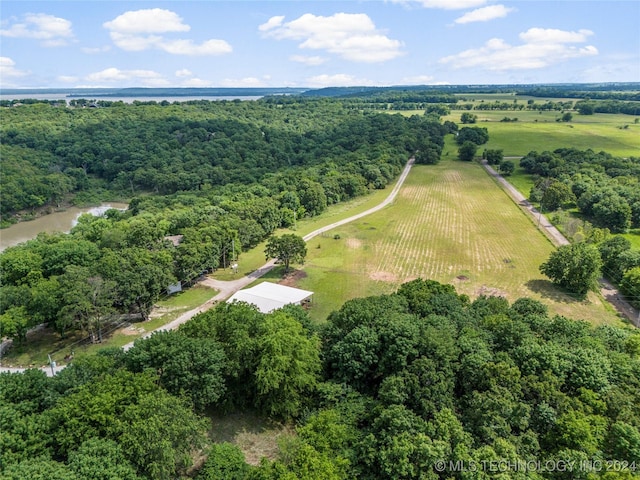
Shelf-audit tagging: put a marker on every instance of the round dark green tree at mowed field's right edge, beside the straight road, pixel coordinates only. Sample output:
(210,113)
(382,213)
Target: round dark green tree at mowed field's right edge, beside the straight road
(575,267)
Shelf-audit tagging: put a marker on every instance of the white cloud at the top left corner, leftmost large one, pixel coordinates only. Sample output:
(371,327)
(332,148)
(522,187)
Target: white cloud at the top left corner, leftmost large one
(49,30)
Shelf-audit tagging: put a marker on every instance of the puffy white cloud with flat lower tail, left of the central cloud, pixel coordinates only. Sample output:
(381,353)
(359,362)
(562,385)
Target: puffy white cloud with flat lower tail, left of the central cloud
(141,30)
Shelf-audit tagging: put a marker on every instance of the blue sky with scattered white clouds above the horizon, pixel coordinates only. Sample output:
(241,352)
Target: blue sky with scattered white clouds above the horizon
(51,44)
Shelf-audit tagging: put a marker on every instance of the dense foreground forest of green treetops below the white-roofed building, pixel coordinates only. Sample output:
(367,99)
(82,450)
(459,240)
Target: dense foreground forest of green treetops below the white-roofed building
(423,383)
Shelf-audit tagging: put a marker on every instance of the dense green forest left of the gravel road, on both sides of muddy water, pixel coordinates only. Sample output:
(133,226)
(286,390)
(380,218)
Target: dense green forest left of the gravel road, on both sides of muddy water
(216,175)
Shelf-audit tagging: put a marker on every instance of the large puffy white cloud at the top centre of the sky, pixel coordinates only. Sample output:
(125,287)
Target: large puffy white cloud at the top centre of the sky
(352,36)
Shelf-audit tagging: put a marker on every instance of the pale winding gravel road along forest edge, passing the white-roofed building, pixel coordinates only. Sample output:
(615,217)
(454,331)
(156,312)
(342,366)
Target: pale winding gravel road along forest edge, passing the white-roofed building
(228,288)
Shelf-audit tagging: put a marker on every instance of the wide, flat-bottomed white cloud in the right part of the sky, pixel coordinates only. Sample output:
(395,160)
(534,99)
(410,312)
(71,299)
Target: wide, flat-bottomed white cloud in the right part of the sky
(542,47)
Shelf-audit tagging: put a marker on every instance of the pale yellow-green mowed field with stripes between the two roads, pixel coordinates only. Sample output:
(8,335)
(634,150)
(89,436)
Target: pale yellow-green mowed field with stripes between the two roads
(451,223)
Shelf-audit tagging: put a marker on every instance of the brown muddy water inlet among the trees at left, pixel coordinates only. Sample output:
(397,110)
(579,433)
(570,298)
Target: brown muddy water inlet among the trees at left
(54,222)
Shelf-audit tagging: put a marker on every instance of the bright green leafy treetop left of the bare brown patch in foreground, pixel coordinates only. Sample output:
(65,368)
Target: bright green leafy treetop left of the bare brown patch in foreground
(156,431)
